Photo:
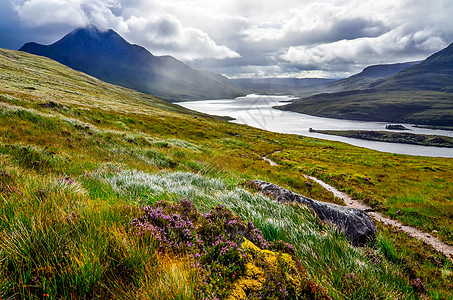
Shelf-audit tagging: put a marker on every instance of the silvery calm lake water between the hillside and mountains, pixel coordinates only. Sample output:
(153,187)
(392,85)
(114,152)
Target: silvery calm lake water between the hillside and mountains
(257,111)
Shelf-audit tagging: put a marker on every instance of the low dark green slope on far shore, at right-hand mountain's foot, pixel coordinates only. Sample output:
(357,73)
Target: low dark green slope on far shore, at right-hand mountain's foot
(417,106)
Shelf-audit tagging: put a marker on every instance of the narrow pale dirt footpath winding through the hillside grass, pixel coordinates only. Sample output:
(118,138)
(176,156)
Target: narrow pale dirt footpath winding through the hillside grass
(411,231)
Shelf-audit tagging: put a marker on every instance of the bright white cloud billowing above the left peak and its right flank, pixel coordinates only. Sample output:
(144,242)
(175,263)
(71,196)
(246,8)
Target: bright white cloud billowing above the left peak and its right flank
(161,33)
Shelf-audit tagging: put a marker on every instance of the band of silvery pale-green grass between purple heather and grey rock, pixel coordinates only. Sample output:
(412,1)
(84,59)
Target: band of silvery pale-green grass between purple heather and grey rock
(343,269)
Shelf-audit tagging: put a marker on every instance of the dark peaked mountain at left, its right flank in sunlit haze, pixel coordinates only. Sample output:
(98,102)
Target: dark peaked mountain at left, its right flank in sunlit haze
(107,56)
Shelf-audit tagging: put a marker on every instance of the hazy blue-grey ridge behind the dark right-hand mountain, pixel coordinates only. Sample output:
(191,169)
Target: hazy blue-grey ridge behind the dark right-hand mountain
(370,74)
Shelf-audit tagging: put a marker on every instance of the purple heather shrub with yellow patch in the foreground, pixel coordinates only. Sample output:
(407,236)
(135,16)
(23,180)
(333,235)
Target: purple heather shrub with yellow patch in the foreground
(219,243)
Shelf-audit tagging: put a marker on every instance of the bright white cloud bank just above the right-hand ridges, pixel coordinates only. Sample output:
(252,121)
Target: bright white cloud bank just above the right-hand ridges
(397,45)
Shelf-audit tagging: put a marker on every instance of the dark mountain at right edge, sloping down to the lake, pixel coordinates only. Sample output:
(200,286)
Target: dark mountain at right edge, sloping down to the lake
(420,94)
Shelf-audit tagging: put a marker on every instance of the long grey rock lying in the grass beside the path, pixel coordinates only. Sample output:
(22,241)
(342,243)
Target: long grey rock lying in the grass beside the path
(357,225)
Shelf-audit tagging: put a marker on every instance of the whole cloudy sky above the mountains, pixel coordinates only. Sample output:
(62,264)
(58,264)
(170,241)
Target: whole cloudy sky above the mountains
(249,38)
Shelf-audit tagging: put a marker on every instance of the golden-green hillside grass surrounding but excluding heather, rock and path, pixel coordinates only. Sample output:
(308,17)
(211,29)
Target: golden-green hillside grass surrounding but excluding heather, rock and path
(96,129)
